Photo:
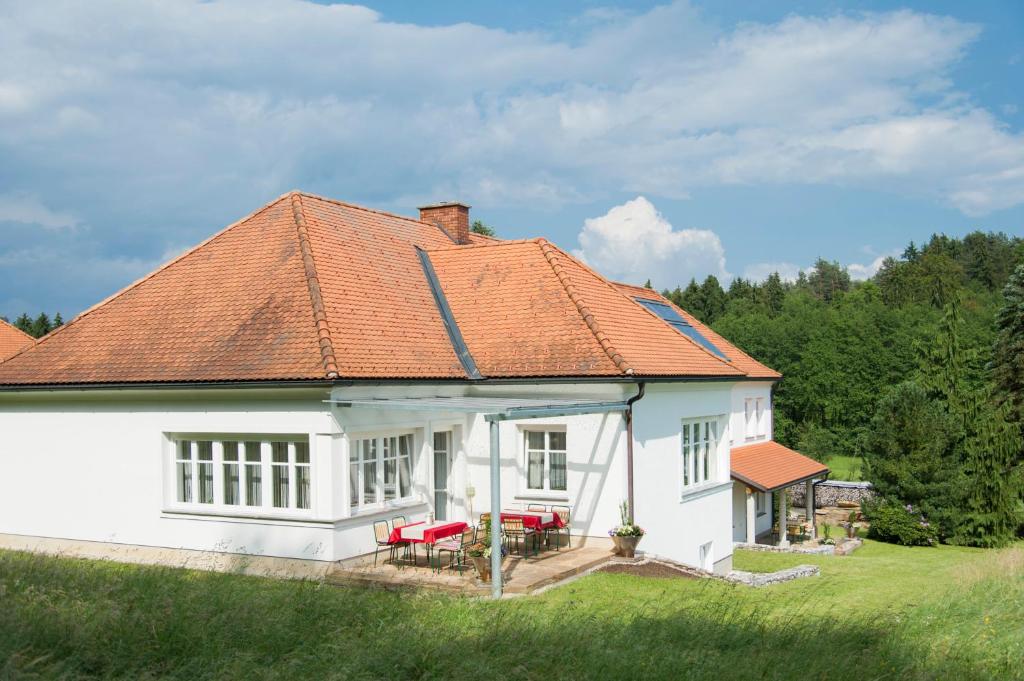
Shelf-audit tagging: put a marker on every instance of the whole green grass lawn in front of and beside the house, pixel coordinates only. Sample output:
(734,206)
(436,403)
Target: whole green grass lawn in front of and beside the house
(885,613)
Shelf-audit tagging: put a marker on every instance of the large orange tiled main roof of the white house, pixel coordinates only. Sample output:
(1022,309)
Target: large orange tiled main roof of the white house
(309,288)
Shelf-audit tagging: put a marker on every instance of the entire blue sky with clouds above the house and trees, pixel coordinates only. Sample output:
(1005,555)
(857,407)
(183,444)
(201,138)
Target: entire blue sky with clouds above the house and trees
(662,141)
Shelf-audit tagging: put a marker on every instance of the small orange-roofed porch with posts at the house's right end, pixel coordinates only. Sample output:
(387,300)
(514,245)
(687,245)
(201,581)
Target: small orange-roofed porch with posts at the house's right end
(763,470)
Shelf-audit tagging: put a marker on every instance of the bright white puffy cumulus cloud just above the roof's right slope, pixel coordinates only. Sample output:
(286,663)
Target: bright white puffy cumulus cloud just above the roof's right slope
(633,243)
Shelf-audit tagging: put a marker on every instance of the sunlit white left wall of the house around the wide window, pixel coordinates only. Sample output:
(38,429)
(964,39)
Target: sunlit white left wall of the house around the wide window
(95,467)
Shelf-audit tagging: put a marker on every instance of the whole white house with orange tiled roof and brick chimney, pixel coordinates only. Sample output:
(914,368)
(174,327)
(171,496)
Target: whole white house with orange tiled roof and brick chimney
(318,366)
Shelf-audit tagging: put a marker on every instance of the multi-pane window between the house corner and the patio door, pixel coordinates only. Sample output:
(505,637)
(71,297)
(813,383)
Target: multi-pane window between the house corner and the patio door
(380,470)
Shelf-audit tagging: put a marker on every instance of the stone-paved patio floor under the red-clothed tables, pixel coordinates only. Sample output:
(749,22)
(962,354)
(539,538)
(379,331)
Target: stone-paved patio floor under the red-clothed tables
(523,576)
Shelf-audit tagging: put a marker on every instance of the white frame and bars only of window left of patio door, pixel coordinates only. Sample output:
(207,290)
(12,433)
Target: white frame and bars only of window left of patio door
(382,450)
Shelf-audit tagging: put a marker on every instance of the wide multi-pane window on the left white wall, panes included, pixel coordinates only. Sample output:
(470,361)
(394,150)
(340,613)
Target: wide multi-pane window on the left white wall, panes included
(232,474)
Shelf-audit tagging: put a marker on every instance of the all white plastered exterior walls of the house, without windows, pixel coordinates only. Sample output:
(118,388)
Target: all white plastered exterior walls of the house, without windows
(98,466)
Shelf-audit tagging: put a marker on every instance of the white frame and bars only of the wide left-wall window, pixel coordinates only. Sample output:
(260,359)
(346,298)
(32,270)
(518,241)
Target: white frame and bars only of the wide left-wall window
(298,463)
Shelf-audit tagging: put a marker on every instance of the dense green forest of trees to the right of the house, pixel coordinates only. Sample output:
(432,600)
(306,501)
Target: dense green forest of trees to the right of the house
(919,371)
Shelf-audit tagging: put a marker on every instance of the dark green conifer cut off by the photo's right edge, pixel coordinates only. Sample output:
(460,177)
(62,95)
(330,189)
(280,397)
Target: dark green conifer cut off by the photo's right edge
(1008,355)
